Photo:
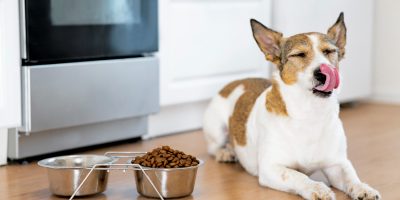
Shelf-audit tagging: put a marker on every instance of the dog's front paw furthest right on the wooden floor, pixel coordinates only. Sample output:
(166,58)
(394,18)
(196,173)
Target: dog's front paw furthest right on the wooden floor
(362,191)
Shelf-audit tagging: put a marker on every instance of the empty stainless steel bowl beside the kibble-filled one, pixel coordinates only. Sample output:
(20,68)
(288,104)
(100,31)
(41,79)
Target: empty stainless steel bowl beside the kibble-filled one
(65,173)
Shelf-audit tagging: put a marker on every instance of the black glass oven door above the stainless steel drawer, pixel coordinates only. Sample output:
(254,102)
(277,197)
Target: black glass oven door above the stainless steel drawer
(76,30)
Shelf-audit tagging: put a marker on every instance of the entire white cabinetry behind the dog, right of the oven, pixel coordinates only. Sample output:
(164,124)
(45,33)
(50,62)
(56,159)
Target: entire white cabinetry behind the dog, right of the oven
(204,44)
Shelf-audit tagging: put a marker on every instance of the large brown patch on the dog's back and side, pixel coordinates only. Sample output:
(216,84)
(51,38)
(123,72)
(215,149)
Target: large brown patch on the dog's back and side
(237,122)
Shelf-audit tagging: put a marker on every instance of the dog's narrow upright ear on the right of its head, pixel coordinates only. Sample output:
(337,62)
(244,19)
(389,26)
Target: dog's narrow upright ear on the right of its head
(337,33)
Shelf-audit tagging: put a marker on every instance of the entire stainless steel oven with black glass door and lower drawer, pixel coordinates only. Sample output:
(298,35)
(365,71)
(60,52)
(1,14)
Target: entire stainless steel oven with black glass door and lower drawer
(89,73)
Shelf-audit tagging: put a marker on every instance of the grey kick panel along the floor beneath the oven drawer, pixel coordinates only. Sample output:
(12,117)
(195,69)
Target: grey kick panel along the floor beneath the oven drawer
(22,146)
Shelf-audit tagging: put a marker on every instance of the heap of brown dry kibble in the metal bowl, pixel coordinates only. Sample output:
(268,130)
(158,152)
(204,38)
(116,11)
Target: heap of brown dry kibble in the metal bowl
(166,157)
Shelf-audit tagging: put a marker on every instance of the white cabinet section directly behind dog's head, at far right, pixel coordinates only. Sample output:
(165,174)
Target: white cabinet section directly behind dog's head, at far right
(292,16)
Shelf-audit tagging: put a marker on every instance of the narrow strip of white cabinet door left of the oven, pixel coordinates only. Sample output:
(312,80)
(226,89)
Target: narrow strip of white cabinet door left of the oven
(10,88)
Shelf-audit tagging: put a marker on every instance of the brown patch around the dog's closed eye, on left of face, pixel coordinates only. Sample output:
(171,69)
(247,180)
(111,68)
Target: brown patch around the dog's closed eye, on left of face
(290,66)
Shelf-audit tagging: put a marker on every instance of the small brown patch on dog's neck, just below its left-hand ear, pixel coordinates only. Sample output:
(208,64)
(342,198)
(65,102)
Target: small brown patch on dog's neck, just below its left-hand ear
(274,101)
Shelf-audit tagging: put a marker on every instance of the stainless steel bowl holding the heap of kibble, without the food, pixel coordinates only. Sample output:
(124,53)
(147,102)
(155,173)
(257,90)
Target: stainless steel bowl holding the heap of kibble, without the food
(170,182)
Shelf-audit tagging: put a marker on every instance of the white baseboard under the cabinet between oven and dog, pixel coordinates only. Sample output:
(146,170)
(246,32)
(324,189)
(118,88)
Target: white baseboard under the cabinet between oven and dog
(176,118)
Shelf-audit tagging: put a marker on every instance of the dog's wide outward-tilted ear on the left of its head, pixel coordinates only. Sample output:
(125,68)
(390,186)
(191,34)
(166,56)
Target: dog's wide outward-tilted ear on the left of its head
(268,40)
